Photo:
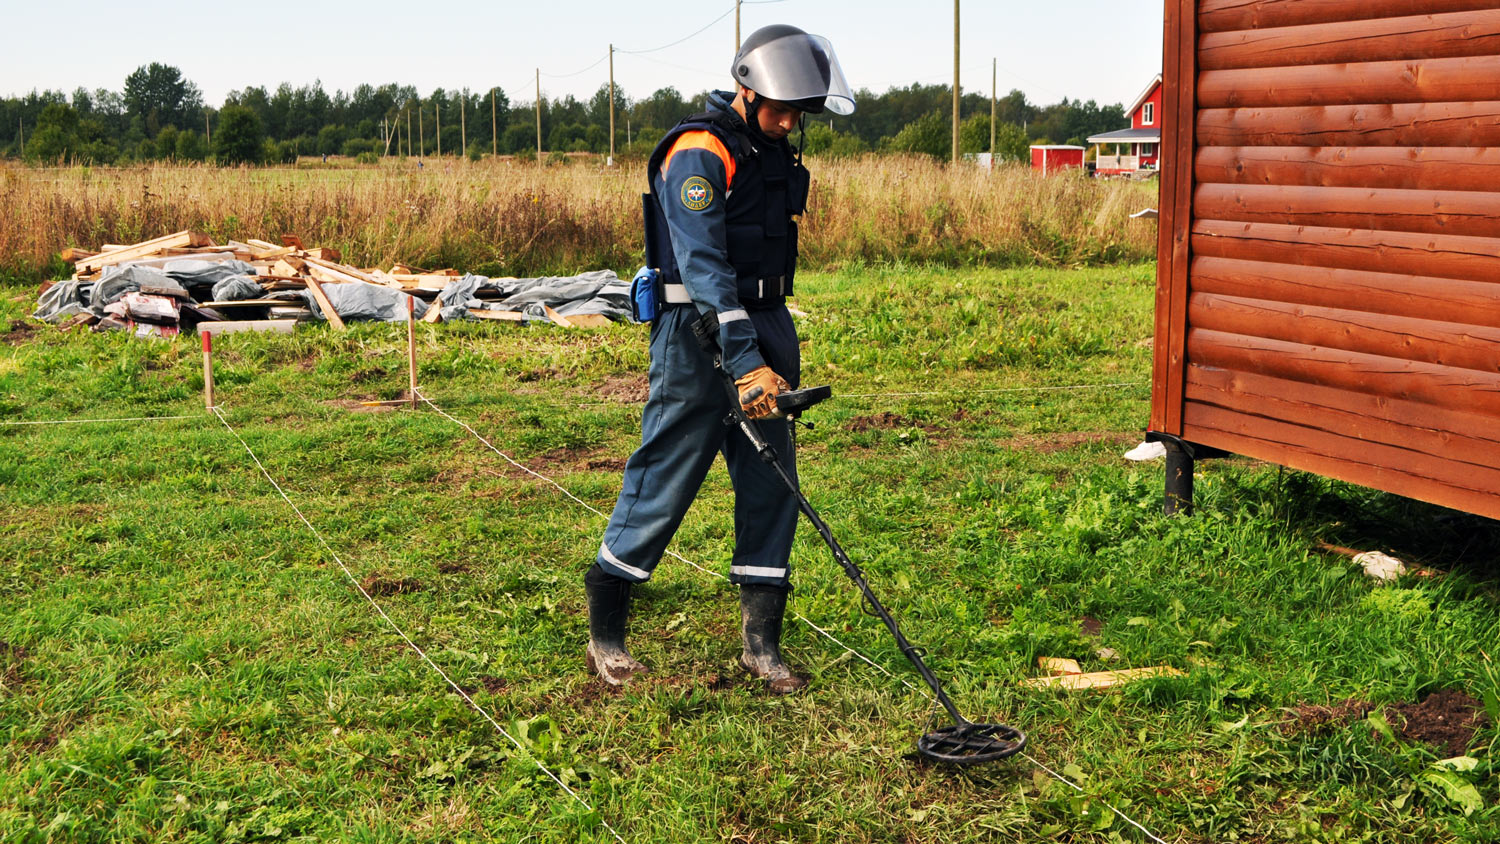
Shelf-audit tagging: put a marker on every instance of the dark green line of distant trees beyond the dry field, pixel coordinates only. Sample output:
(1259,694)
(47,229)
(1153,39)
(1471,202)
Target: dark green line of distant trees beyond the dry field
(163,116)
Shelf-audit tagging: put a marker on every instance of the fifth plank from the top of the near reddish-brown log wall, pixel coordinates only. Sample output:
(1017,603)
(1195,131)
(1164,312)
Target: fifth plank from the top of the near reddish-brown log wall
(1408,169)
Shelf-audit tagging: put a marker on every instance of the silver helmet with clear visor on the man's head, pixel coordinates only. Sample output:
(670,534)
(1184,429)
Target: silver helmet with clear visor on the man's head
(793,67)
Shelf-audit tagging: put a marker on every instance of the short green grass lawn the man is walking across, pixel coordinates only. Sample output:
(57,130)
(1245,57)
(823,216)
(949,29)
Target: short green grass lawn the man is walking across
(184,662)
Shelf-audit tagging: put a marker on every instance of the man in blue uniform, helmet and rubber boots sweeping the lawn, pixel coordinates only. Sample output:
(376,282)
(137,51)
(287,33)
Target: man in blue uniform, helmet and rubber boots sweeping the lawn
(727,191)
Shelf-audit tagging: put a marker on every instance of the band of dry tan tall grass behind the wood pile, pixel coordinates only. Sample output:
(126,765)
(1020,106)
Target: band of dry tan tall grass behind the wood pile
(511,218)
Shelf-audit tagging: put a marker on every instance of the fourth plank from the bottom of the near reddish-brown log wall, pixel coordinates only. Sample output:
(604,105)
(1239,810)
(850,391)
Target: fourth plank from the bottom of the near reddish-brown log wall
(1403,338)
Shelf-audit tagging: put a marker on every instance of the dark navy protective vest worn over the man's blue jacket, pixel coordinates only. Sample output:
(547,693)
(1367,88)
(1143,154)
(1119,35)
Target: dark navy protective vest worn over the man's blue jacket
(769,190)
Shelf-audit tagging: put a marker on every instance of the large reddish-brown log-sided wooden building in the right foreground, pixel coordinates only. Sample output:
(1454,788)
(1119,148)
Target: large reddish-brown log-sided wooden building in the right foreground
(1328,287)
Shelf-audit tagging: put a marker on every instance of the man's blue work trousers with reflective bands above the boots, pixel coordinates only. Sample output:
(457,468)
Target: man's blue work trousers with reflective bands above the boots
(682,429)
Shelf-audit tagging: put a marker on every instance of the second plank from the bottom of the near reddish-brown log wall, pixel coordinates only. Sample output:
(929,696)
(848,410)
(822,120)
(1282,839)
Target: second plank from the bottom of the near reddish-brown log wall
(1466,438)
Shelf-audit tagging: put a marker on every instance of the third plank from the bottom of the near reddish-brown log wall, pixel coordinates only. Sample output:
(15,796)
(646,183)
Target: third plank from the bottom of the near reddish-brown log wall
(1466,391)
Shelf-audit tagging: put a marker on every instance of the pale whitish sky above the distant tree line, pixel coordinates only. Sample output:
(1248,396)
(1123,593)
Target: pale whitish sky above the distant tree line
(1102,50)
